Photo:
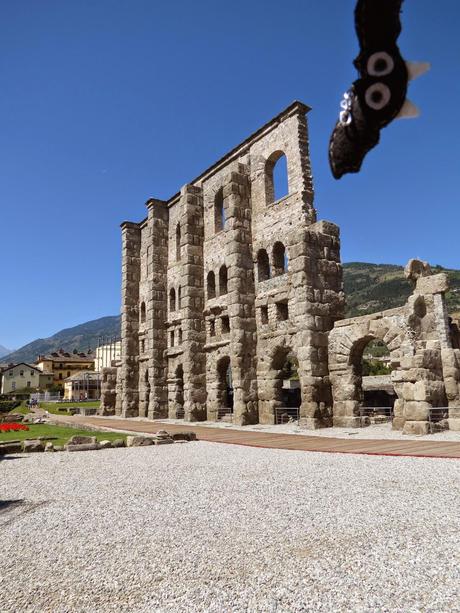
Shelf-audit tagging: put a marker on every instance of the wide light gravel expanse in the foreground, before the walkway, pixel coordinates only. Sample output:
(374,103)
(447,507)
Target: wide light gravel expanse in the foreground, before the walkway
(221,528)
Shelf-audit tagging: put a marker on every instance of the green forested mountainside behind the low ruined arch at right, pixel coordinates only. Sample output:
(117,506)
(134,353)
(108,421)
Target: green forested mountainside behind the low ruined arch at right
(375,287)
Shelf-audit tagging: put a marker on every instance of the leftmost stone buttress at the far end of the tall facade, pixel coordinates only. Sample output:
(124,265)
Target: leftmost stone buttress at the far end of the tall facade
(129,370)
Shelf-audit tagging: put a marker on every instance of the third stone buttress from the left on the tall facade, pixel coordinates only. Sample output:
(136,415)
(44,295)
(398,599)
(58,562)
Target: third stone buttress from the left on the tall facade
(192,303)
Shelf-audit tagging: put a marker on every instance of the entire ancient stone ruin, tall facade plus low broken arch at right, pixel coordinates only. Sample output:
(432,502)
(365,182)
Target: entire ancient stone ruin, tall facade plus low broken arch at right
(228,289)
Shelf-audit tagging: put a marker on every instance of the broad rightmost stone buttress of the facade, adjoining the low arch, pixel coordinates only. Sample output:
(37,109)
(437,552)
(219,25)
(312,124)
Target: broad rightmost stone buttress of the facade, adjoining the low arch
(319,302)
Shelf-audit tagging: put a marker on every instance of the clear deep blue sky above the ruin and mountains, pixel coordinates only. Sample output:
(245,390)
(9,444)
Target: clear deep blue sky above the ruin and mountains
(106,103)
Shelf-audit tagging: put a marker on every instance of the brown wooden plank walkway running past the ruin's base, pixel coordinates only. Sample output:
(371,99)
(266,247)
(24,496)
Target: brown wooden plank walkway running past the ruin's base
(272,440)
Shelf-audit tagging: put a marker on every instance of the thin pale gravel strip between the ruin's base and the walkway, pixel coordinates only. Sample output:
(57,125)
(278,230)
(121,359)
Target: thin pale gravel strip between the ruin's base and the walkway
(380,431)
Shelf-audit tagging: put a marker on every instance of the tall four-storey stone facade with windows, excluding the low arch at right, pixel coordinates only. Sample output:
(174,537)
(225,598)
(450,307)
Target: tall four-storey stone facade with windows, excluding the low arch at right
(194,305)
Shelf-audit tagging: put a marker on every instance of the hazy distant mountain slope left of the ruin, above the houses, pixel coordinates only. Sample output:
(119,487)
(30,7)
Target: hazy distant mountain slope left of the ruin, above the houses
(83,337)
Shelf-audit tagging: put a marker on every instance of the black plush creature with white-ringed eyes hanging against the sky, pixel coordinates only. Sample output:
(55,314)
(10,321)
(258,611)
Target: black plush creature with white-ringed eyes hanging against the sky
(379,95)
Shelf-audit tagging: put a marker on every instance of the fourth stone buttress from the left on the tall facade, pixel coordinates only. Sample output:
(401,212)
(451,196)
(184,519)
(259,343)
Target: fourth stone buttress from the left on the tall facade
(241,298)
